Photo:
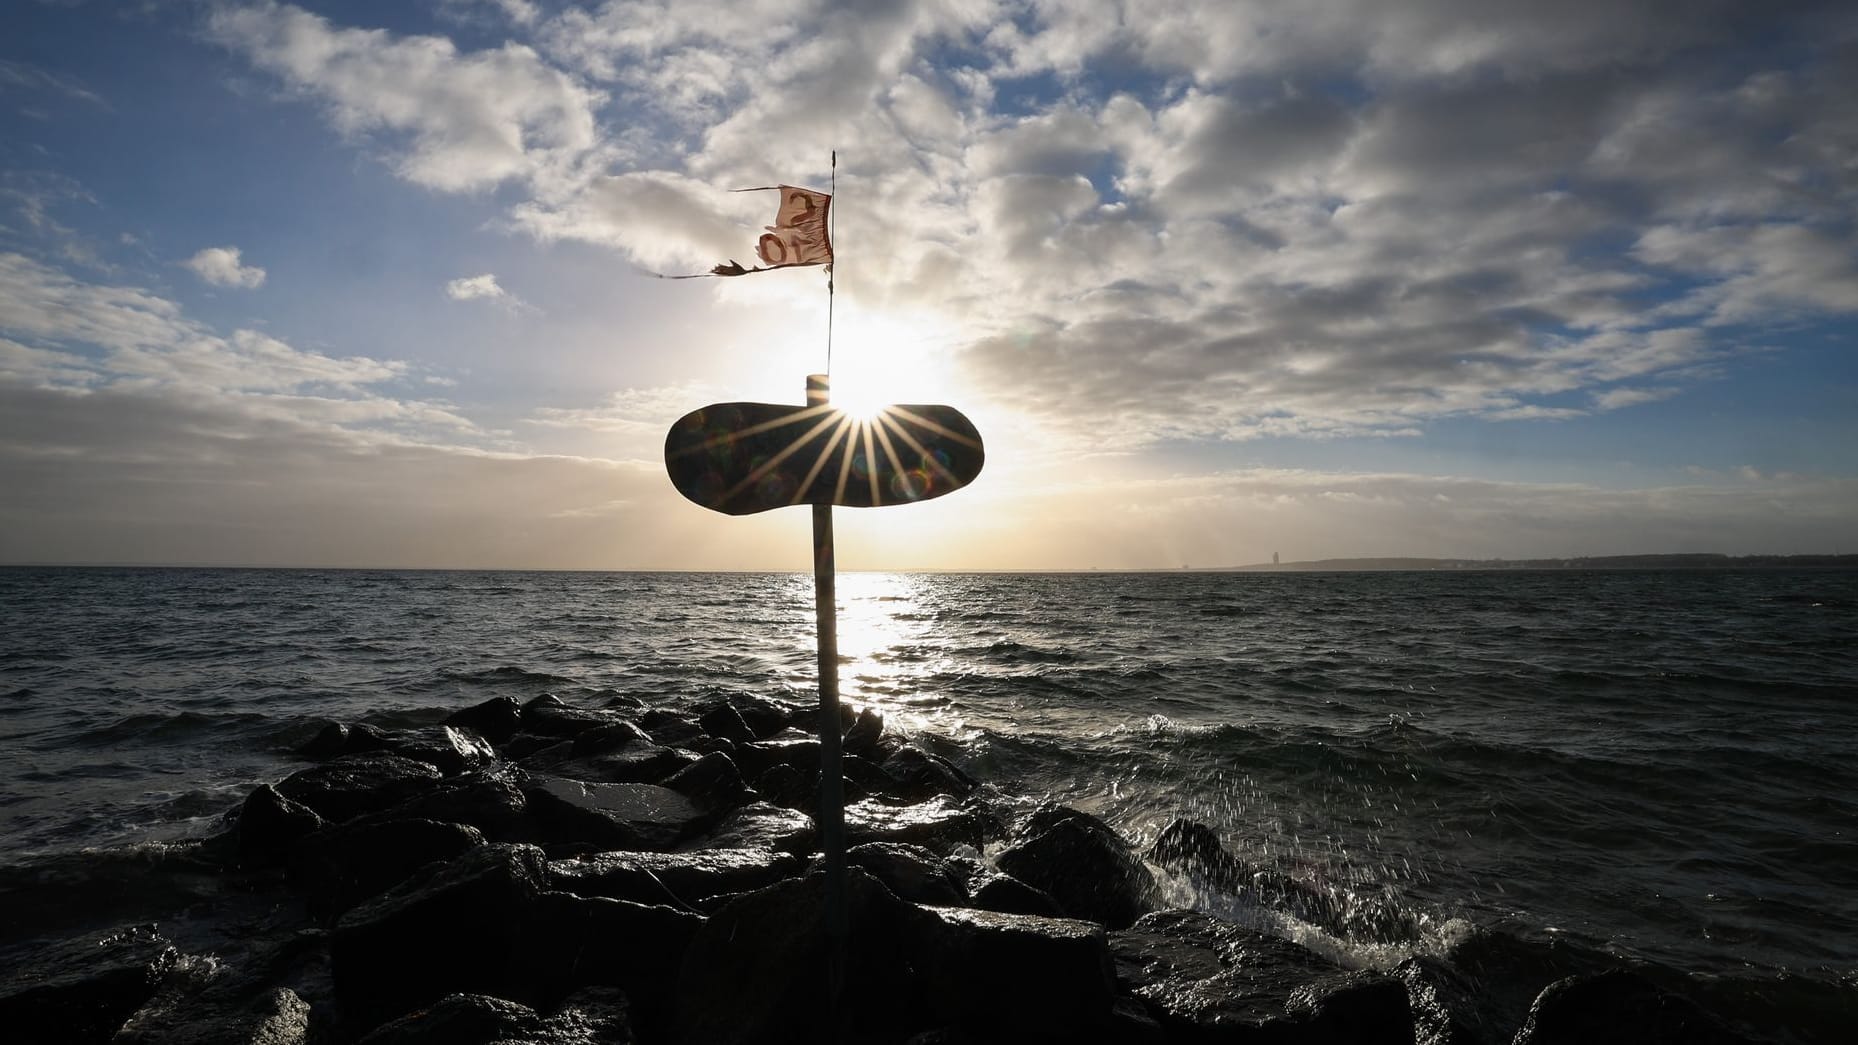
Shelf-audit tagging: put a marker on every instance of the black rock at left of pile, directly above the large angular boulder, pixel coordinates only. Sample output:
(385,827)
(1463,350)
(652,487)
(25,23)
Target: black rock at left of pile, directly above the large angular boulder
(345,866)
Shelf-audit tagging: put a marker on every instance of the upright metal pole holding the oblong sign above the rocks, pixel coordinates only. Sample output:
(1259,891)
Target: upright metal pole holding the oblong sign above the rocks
(831,760)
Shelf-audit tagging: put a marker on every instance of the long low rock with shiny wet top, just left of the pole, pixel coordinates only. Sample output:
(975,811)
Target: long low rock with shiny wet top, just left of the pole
(672,879)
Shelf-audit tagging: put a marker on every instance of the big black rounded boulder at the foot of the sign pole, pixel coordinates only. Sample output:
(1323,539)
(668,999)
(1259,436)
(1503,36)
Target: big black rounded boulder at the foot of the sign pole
(755,972)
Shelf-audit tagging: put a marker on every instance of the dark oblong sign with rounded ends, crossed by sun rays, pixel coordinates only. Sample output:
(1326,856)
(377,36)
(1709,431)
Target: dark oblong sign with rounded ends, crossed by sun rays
(746,458)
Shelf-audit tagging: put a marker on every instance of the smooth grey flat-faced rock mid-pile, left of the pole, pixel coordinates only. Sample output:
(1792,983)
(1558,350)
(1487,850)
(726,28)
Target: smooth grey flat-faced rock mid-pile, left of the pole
(612,815)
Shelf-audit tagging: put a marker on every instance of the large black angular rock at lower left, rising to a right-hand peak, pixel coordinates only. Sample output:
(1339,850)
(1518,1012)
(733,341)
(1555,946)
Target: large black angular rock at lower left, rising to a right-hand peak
(445,931)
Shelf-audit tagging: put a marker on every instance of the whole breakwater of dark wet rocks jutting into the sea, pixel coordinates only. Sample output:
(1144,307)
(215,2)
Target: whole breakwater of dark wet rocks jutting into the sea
(560,875)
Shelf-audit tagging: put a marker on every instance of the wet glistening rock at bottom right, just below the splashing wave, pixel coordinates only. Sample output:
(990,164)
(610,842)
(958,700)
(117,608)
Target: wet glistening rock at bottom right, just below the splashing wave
(1212,981)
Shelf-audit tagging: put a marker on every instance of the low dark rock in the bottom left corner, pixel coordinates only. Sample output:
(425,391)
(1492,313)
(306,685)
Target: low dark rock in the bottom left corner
(85,990)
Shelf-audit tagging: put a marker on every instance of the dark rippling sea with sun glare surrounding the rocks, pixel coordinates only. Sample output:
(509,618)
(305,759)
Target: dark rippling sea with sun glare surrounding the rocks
(1655,765)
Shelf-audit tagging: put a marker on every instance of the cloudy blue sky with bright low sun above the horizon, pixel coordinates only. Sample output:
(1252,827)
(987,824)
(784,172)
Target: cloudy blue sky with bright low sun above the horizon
(350,284)
